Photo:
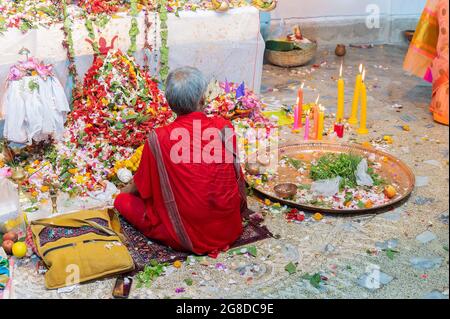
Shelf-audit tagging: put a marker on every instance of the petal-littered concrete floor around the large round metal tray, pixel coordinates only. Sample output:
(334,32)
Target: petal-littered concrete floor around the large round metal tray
(341,248)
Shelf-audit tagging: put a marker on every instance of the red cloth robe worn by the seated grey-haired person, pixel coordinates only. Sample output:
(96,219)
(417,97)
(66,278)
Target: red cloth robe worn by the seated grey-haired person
(206,194)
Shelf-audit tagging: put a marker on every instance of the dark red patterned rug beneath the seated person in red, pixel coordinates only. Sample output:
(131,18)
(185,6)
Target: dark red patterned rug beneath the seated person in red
(143,250)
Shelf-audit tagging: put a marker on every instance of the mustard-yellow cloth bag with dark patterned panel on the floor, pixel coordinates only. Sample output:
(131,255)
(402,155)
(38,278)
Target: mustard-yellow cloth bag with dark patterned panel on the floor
(80,247)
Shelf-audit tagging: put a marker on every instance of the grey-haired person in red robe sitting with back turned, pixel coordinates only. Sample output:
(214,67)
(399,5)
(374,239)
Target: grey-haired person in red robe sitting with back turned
(188,192)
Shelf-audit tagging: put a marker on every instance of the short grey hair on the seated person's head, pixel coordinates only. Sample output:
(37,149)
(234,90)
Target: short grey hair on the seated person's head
(185,88)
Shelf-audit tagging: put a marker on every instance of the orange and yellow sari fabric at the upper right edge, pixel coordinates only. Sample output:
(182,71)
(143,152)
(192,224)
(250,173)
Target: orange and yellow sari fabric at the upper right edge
(428,58)
